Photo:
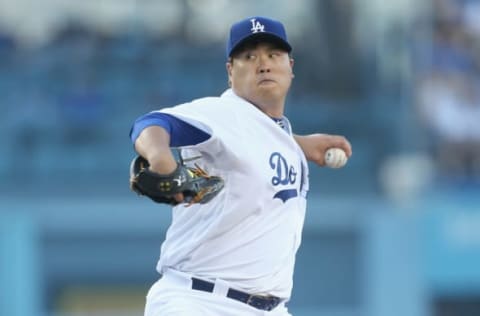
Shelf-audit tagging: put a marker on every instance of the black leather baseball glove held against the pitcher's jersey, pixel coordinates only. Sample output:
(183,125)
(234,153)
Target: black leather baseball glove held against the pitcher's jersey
(195,184)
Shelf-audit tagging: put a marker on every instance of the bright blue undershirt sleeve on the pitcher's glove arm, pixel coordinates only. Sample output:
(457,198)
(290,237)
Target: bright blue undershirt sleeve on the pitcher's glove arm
(181,133)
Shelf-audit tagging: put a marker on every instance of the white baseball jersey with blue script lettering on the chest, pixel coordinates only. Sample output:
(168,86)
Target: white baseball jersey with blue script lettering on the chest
(249,233)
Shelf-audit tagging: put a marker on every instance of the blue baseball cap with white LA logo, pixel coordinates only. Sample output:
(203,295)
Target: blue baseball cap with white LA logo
(257,28)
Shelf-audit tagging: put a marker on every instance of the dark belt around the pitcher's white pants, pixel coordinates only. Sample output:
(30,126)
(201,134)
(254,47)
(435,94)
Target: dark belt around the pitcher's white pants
(266,303)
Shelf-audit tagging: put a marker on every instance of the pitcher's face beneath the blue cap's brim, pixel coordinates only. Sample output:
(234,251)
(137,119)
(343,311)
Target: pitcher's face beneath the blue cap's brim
(261,73)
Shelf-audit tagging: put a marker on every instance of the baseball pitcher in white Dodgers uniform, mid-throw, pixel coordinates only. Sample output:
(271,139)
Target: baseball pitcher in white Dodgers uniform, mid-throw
(231,245)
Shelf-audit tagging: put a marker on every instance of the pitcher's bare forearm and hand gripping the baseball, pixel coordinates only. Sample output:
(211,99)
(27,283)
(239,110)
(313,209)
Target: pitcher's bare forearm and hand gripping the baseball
(314,146)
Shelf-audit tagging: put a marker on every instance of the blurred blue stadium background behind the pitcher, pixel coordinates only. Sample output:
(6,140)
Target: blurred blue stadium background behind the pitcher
(396,232)
